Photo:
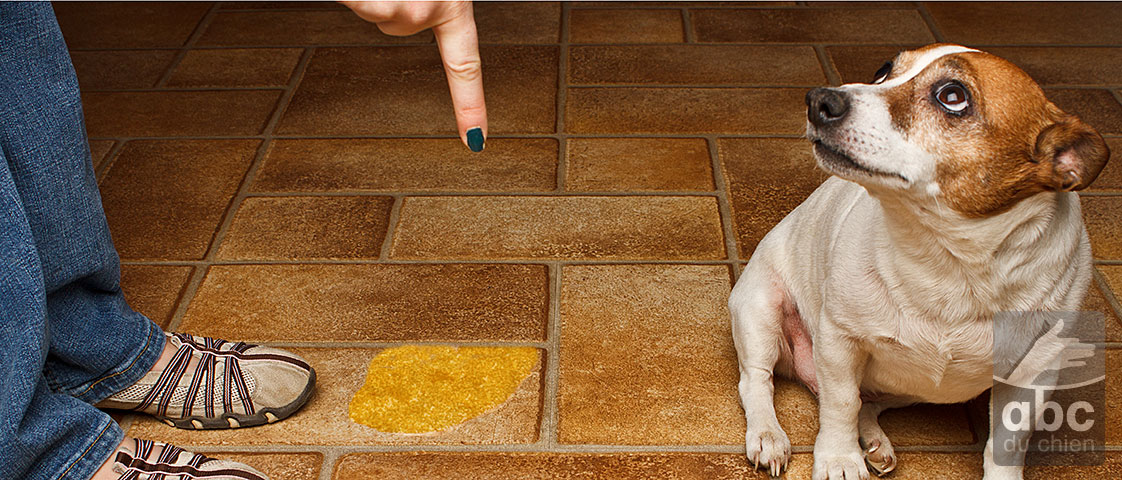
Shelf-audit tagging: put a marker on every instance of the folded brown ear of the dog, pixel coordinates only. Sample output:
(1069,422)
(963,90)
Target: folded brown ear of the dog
(1071,155)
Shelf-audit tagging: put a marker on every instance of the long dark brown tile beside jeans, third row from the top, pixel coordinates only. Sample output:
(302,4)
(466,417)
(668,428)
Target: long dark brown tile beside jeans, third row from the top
(178,114)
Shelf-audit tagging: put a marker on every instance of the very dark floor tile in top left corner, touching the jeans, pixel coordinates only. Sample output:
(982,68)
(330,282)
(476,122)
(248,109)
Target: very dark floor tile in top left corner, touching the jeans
(128,25)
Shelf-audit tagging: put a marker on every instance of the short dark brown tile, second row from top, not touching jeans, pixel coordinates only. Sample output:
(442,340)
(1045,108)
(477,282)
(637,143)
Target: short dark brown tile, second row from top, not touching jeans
(236,68)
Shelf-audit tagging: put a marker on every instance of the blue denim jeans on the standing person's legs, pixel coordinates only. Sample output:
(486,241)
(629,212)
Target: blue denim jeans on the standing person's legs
(68,339)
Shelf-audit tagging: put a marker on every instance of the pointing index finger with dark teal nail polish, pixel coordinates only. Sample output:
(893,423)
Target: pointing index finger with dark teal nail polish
(459,50)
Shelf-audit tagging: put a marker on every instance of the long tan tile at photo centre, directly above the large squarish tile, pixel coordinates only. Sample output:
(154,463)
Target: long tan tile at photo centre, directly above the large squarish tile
(670,228)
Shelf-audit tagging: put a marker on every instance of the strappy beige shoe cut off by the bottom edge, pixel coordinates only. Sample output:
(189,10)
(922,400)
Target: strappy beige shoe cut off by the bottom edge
(161,461)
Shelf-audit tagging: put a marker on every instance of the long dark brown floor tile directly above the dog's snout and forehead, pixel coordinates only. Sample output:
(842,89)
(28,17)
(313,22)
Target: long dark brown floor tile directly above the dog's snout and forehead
(798,26)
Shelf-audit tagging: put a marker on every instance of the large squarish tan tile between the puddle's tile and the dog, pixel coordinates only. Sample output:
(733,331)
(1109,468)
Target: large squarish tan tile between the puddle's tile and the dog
(648,357)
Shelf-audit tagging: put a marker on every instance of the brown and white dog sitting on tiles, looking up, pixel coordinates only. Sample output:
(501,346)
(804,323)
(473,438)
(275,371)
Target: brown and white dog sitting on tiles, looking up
(951,200)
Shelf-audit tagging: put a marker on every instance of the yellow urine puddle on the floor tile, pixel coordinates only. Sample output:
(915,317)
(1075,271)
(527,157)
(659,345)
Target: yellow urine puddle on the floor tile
(418,390)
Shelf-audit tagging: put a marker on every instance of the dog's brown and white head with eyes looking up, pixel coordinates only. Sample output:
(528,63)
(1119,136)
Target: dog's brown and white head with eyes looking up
(952,123)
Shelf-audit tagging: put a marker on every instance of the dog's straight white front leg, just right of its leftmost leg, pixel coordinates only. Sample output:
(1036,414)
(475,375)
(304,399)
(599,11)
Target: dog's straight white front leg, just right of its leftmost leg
(840,364)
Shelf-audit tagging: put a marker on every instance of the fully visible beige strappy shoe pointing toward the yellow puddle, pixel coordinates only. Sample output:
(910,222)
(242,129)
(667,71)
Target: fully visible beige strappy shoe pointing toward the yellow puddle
(231,386)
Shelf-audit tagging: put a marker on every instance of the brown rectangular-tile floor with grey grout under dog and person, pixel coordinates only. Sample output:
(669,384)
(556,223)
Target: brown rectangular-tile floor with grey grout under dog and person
(284,173)
